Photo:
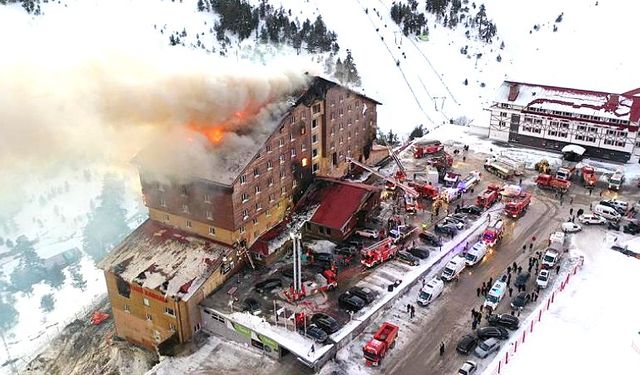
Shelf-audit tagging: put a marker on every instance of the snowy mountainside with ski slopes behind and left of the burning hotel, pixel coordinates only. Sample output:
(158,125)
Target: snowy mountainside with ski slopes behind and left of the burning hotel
(418,82)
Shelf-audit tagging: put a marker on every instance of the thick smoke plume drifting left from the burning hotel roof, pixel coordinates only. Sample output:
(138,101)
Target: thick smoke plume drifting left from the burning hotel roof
(76,94)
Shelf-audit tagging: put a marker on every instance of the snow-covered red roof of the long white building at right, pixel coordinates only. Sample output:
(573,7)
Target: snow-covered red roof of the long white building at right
(584,102)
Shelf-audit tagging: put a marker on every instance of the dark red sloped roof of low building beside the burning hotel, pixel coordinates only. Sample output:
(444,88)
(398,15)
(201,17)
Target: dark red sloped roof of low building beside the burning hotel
(338,202)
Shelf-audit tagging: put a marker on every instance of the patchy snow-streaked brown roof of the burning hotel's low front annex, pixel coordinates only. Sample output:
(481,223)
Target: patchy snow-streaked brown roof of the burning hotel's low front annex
(173,262)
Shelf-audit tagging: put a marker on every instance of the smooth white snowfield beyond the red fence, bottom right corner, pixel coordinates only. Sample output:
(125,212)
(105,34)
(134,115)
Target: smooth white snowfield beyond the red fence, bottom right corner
(596,317)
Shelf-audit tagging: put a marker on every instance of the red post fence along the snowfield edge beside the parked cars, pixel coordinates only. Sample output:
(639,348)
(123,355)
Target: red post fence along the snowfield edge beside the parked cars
(509,351)
